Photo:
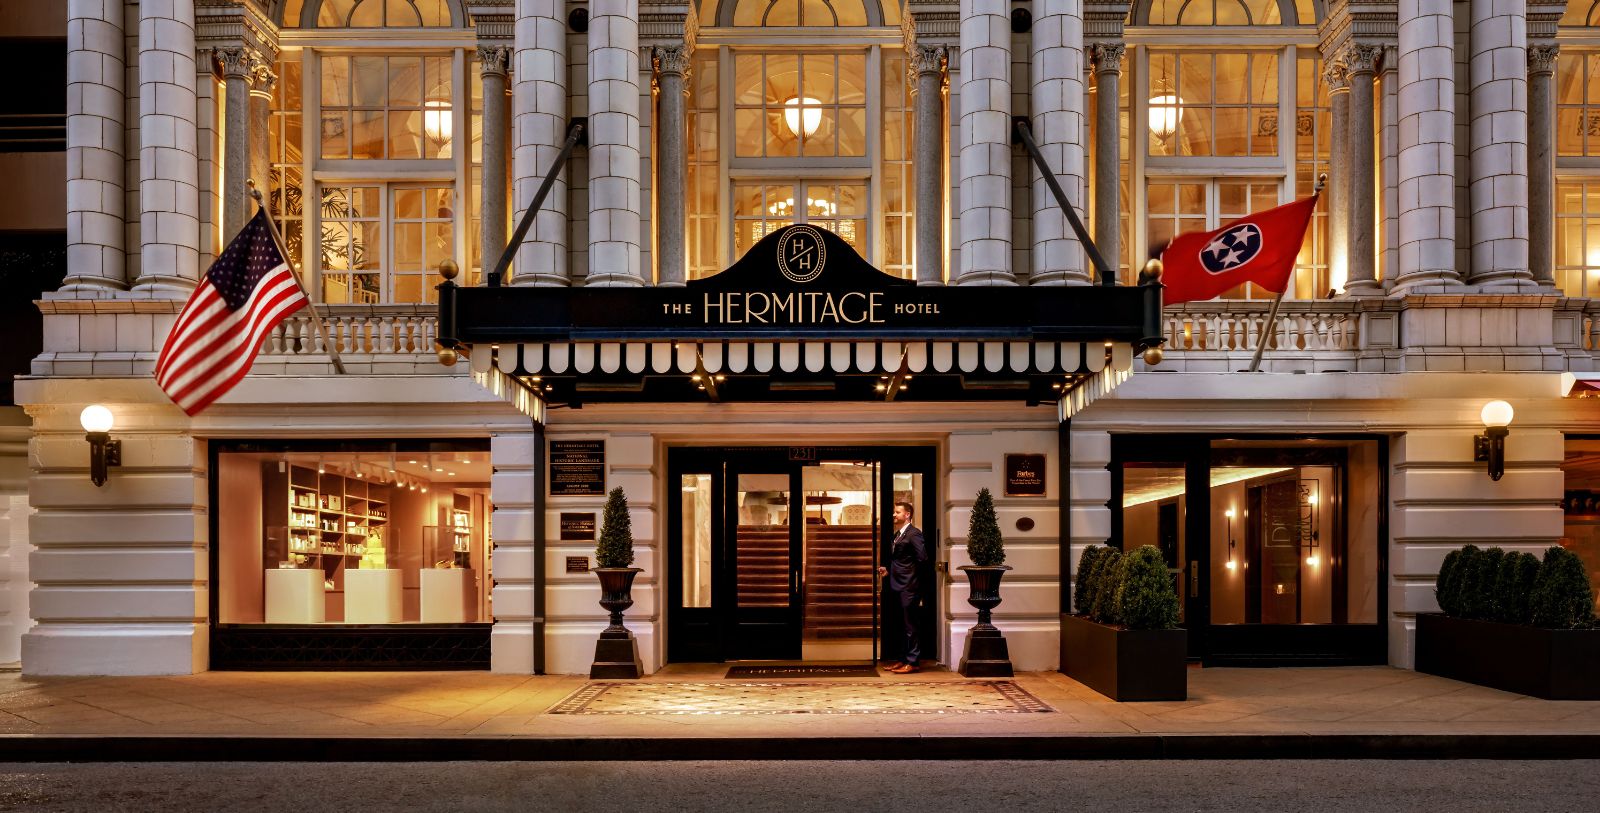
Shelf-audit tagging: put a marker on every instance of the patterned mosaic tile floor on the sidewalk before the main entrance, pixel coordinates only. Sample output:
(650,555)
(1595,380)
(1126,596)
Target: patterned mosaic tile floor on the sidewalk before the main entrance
(834,697)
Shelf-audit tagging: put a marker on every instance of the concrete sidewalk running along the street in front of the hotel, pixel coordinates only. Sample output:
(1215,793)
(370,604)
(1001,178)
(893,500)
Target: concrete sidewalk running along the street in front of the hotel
(1236,713)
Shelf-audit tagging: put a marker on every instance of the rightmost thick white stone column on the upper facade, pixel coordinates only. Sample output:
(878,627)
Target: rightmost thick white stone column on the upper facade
(1498,135)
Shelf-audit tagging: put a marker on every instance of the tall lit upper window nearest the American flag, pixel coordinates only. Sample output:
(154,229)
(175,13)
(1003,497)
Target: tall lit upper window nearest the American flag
(385,138)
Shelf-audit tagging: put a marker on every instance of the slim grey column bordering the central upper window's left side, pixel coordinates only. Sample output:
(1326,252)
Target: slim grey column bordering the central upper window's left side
(673,66)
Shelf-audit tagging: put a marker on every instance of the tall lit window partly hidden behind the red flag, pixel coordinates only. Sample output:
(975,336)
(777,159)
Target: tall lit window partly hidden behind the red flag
(1210,142)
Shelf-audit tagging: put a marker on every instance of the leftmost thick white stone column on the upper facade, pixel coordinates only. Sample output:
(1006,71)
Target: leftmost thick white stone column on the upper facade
(97,250)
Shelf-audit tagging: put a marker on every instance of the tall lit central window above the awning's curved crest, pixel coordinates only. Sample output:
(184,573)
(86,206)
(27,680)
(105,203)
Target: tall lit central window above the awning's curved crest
(802,126)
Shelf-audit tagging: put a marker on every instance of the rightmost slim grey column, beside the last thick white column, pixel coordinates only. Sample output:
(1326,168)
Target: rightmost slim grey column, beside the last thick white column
(1542,162)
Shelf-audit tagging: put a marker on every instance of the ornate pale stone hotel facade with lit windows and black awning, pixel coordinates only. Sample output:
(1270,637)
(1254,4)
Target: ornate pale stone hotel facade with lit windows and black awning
(436,503)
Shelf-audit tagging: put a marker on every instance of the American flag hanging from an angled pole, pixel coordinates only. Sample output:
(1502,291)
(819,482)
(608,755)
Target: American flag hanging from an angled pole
(246,294)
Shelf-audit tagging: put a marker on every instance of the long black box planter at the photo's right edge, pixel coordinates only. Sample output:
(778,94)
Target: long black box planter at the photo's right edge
(1522,659)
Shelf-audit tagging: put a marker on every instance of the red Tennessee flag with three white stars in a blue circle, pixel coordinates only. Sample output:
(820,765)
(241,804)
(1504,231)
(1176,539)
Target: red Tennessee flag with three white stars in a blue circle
(1258,249)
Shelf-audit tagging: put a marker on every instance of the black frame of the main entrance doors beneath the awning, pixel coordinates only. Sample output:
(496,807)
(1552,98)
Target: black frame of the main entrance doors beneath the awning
(708,635)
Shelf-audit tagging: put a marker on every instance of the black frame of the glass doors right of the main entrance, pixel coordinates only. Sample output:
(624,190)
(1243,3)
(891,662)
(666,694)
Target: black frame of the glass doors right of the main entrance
(1254,644)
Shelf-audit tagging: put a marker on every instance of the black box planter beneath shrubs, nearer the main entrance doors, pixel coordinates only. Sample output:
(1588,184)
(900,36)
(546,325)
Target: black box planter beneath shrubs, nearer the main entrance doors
(1126,665)
